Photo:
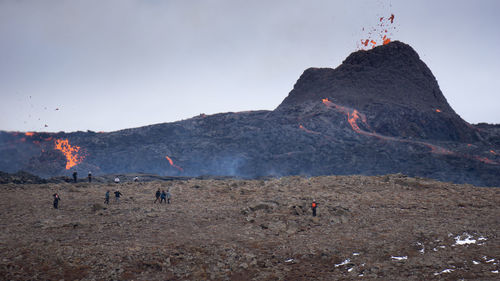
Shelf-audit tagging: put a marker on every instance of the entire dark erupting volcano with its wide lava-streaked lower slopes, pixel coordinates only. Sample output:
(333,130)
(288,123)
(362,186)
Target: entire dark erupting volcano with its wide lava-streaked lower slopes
(380,112)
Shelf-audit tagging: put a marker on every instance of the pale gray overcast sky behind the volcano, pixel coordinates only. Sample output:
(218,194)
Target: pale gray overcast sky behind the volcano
(109,65)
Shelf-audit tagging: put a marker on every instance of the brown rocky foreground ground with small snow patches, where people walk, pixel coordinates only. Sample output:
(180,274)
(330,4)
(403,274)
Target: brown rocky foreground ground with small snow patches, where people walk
(389,227)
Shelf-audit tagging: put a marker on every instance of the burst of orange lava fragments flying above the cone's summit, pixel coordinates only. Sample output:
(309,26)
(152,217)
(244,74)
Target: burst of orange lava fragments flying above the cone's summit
(379,35)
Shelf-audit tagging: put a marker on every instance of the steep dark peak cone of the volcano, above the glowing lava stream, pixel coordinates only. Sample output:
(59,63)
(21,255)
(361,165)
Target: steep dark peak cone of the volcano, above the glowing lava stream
(392,86)
